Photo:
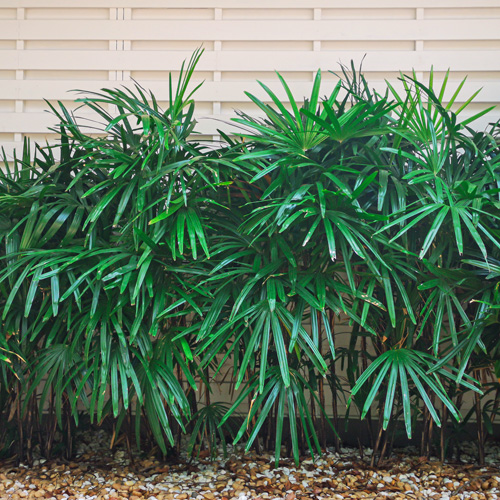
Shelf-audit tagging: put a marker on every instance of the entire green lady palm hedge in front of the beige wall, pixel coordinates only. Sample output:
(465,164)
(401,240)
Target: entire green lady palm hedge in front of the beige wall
(139,264)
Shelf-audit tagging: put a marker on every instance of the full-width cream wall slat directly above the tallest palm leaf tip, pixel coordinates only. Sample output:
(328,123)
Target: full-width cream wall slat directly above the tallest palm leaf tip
(457,29)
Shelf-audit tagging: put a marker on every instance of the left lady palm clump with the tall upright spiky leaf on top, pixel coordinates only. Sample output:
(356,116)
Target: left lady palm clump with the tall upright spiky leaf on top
(96,245)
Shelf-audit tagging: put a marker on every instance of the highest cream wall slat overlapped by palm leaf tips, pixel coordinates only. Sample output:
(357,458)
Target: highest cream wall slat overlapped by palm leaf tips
(246,60)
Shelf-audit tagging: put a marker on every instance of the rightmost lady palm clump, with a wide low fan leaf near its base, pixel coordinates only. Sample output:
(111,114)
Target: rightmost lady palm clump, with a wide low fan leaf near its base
(441,211)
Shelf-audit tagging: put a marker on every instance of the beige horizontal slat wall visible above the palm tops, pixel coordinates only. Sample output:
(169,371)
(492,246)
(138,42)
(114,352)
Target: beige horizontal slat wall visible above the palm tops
(48,47)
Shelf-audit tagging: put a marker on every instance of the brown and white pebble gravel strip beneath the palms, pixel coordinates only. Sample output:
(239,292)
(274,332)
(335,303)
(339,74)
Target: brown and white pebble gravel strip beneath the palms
(98,474)
